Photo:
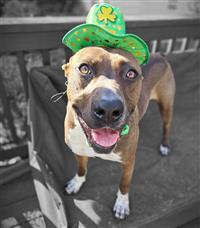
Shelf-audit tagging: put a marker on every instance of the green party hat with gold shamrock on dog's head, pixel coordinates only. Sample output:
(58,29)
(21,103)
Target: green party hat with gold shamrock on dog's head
(105,27)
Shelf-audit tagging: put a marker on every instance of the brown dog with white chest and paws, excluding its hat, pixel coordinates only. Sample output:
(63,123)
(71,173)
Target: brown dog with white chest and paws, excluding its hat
(107,90)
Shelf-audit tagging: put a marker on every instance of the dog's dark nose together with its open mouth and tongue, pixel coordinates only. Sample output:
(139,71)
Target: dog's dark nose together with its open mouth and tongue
(106,110)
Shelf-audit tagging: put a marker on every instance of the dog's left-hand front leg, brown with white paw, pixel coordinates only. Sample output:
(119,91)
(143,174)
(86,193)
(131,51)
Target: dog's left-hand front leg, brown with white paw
(74,185)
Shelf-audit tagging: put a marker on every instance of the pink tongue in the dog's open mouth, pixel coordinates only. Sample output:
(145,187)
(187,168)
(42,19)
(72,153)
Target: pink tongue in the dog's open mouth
(105,137)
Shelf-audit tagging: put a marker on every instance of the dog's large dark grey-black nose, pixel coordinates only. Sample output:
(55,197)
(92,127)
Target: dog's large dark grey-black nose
(107,106)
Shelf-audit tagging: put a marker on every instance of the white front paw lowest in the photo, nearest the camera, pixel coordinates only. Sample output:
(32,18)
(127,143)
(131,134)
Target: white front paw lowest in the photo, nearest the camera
(121,207)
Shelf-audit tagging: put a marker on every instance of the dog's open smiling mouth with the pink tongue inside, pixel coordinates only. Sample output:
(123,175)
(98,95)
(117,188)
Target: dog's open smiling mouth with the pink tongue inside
(103,140)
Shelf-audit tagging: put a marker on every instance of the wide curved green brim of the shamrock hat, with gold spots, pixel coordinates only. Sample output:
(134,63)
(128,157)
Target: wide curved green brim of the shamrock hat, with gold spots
(86,35)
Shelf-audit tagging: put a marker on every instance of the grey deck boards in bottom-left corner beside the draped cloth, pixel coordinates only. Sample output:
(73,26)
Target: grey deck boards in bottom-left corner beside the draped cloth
(19,204)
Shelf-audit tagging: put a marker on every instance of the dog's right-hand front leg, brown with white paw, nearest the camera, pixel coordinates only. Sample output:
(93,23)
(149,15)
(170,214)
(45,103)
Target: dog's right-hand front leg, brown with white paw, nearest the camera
(121,207)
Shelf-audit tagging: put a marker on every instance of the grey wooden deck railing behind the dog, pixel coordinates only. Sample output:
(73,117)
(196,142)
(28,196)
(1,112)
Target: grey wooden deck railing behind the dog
(21,35)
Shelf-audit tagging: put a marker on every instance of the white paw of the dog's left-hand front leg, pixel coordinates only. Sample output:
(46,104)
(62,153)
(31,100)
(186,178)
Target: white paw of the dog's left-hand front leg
(74,185)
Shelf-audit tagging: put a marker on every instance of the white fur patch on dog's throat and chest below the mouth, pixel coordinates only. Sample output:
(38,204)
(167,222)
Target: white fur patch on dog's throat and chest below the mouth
(78,143)
